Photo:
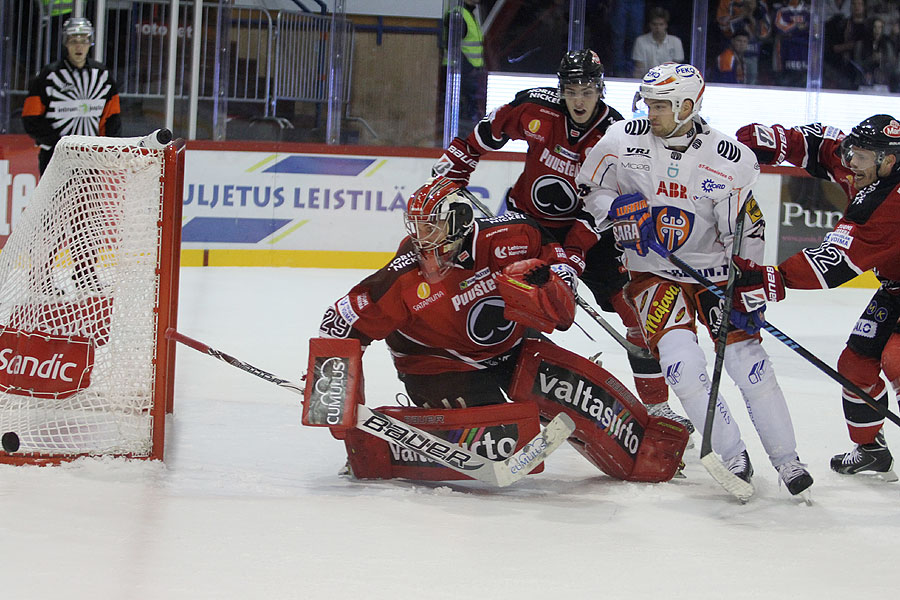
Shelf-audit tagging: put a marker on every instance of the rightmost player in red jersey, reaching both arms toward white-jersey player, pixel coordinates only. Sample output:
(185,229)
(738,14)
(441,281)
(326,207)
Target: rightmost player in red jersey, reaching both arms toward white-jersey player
(866,164)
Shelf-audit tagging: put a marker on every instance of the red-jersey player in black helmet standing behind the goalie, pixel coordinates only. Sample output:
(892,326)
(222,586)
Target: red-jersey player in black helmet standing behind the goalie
(561,125)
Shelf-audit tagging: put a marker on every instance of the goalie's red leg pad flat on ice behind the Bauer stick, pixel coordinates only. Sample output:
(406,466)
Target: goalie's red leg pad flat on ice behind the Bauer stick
(495,431)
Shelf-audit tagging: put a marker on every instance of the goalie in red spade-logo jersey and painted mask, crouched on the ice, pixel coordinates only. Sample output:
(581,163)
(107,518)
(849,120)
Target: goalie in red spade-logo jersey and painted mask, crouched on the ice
(456,305)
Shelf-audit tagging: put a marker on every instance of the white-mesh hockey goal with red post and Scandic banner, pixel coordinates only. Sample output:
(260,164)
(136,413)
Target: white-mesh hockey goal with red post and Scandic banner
(88,286)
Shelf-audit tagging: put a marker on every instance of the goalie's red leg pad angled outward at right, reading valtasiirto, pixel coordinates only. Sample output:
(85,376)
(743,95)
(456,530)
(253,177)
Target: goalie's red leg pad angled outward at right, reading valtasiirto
(613,429)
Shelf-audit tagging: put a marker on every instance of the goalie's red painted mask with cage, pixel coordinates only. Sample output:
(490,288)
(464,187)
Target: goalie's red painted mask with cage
(438,219)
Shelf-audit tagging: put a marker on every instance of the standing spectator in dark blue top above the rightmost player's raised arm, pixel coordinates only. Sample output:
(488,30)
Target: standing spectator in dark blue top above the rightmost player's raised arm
(791,44)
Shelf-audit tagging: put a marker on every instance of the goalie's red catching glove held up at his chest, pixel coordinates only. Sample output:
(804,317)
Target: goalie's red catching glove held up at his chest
(536,296)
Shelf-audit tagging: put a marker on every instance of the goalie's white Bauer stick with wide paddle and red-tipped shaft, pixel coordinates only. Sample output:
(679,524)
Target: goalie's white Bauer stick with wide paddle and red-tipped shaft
(499,473)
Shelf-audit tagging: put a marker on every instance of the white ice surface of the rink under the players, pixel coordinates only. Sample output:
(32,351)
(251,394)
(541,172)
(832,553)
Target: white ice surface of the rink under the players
(248,504)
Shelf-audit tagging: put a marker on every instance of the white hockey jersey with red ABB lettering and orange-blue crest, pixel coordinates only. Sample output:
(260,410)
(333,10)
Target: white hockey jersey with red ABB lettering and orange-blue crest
(694,196)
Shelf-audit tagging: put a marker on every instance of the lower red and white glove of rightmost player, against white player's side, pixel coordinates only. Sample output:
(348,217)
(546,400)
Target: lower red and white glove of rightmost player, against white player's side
(754,285)
